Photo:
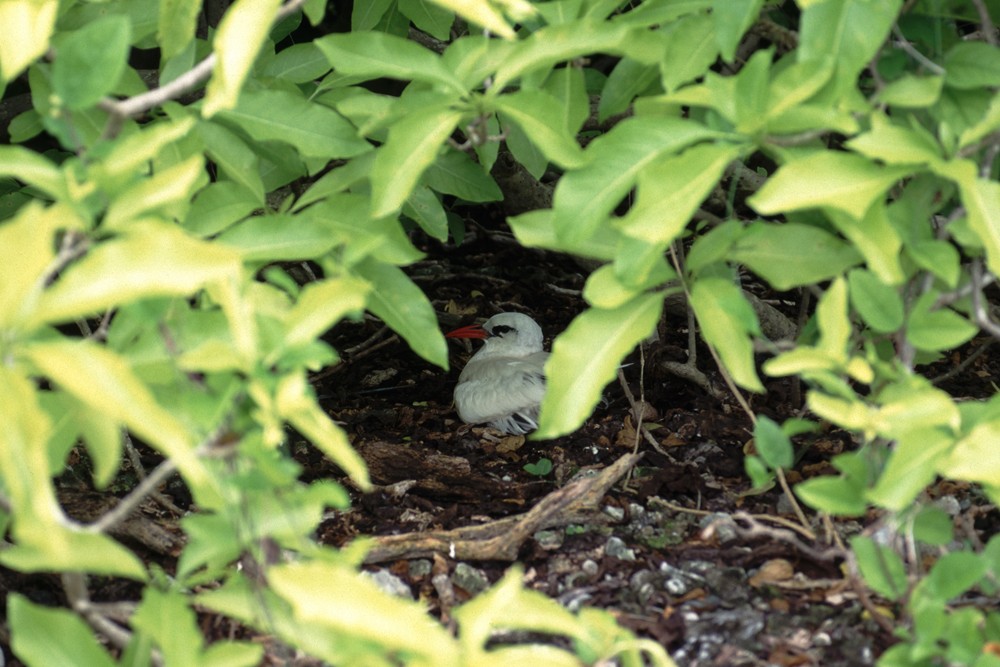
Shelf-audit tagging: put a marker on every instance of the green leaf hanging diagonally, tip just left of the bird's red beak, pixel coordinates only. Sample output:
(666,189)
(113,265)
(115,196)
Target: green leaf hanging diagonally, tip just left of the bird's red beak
(404,307)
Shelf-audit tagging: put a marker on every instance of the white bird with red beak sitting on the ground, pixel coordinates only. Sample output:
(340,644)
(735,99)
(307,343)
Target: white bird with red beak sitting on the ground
(503,383)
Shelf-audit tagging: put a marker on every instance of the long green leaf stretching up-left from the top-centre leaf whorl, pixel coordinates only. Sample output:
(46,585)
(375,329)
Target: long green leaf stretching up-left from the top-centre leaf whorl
(376,55)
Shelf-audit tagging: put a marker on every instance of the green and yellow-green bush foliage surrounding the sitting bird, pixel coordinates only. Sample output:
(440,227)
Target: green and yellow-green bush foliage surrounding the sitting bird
(147,215)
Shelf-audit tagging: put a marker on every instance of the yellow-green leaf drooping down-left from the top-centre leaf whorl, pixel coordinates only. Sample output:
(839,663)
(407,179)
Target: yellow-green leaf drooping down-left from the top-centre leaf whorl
(412,146)
